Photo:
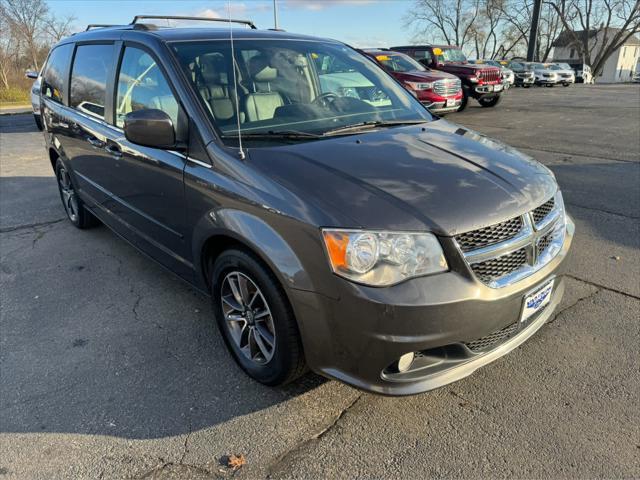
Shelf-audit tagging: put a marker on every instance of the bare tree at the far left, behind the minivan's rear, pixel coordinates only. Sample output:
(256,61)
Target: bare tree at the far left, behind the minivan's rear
(26,18)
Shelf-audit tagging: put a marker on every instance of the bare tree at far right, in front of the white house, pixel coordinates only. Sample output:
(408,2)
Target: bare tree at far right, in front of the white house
(597,28)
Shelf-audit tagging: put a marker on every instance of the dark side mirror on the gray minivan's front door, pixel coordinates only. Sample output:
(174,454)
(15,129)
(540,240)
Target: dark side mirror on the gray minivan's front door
(150,128)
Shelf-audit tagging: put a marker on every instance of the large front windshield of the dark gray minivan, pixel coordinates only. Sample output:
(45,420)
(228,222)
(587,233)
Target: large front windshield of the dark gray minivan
(283,86)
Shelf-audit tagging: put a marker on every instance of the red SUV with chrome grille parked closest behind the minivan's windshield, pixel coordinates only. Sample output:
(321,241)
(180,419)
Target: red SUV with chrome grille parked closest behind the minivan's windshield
(440,92)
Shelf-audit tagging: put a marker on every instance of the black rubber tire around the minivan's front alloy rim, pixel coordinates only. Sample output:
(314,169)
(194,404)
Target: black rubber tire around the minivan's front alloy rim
(287,362)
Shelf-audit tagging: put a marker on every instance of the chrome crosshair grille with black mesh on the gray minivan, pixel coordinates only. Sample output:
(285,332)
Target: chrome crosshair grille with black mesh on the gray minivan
(507,252)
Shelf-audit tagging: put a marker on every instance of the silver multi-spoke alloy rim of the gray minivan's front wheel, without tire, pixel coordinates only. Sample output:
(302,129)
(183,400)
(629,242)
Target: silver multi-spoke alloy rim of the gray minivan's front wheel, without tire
(248,317)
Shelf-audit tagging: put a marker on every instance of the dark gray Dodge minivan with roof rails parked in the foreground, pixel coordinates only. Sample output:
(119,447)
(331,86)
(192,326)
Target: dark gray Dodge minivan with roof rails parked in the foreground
(336,224)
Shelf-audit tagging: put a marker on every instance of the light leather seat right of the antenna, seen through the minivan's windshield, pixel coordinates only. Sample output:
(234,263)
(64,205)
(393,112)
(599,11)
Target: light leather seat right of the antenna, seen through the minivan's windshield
(262,102)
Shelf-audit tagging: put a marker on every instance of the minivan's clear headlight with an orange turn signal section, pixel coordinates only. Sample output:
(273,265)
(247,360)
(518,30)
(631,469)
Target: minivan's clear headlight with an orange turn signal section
(383,258)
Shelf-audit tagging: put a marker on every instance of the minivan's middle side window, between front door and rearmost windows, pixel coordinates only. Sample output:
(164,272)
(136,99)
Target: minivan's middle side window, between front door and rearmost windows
(89,73)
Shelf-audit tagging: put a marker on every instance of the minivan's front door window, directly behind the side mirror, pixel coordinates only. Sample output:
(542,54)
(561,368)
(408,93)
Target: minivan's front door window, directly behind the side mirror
(141,85)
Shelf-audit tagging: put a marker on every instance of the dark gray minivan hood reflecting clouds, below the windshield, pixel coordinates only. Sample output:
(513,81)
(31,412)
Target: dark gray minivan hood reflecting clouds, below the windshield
(438,176)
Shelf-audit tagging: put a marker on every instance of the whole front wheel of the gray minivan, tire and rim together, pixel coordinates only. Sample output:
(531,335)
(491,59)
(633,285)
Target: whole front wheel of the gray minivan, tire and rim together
(255,319)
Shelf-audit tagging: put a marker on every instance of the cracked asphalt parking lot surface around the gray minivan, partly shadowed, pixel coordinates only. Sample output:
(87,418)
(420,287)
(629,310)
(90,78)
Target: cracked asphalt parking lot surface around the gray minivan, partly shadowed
(112,368)
